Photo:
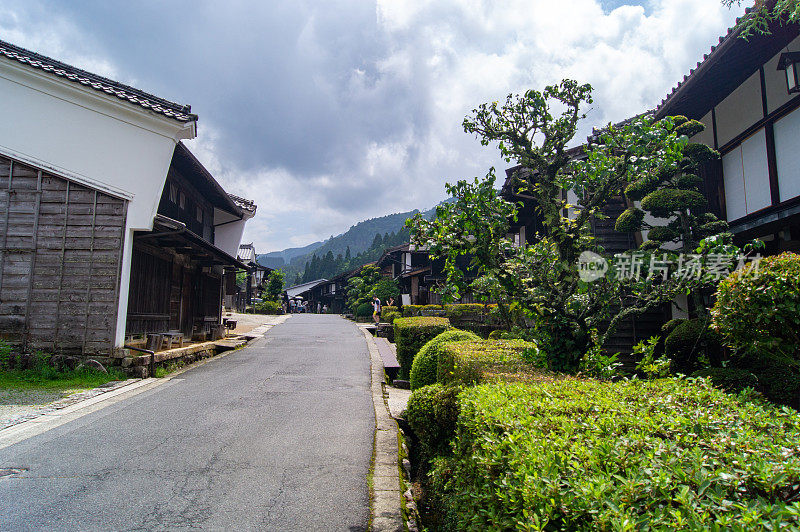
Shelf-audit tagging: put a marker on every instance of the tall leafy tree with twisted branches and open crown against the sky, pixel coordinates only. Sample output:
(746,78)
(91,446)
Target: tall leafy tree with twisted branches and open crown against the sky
(534,130)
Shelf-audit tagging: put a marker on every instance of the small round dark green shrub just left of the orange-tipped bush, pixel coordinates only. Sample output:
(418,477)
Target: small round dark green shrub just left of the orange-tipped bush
(690,344)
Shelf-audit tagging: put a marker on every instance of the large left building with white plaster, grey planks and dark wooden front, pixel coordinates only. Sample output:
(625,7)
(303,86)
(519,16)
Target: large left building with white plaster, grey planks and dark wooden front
(108,225)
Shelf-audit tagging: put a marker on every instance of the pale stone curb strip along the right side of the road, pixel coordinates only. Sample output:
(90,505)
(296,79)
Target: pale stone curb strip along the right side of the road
(385,507)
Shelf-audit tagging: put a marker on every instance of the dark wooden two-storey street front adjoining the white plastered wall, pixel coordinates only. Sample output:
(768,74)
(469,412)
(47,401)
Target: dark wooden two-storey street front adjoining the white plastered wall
(178,276)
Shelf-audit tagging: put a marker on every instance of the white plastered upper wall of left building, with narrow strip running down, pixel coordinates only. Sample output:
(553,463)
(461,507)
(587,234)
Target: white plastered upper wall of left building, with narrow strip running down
(94,139)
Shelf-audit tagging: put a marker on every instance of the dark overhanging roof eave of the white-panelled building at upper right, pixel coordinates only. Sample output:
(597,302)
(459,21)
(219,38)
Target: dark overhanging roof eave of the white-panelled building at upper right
(724,68)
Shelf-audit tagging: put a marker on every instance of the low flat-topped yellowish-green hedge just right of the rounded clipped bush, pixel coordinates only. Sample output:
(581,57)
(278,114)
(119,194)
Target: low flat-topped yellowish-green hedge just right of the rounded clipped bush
(473,362)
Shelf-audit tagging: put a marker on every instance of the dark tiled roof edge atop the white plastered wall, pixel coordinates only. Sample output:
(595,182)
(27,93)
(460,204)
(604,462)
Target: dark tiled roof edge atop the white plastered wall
(158,105)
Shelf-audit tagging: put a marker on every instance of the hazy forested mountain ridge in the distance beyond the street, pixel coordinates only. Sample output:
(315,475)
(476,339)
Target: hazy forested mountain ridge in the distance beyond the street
(359,238)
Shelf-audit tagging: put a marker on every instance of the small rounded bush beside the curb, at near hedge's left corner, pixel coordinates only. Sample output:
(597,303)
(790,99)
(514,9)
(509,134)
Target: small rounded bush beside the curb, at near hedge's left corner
(432,412)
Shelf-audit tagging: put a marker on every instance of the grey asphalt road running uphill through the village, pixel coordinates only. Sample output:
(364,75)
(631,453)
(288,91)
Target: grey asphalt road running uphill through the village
(276,436)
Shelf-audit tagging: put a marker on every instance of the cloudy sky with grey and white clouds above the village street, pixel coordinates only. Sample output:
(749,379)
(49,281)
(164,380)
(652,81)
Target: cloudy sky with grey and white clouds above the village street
(330,112)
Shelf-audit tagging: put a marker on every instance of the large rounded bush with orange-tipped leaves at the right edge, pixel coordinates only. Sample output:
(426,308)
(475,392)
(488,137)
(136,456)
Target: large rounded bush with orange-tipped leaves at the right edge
(761,309)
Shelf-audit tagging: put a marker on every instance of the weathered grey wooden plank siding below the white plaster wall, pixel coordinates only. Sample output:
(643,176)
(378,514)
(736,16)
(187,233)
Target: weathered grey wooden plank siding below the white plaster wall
(60,257)
